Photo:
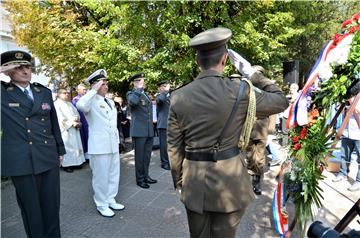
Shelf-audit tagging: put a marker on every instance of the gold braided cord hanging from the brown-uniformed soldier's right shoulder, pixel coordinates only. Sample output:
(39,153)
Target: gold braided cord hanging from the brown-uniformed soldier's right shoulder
(250,118)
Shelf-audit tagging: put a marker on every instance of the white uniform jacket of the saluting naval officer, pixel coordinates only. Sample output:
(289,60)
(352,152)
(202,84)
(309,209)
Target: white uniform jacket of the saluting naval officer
(102,120)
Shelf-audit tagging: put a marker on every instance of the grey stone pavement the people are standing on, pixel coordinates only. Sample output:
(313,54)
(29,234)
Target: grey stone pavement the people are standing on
(158,212)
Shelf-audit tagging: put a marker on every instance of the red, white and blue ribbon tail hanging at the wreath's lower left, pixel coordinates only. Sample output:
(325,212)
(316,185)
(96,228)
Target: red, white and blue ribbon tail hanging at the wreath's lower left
(279,210)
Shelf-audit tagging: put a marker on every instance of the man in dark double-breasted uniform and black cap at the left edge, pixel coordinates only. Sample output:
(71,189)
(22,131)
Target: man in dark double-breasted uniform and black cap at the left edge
(32,148)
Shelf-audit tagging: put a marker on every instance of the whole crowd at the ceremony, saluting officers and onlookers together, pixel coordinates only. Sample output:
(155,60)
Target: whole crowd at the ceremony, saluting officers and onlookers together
(198,128)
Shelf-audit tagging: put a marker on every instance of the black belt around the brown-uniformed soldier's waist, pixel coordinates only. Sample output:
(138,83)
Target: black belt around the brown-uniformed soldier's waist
(212,156)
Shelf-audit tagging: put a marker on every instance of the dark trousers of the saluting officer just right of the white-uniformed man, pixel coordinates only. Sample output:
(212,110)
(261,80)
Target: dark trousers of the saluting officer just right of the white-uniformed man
(143,148)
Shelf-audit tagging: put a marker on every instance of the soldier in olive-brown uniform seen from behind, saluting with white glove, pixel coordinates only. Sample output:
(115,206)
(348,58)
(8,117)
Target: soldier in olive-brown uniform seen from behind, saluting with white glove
(212,177)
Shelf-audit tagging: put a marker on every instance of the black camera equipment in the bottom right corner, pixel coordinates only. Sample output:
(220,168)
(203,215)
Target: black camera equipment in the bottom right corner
(318,230)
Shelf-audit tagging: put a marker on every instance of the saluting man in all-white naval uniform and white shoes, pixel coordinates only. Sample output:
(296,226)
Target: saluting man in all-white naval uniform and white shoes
(103,143)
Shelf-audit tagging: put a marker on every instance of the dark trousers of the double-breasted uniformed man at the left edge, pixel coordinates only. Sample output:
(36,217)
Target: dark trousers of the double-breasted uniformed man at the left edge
(38,197)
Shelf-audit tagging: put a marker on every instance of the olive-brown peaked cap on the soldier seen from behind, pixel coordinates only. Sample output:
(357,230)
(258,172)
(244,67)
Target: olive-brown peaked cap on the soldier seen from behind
(212,41)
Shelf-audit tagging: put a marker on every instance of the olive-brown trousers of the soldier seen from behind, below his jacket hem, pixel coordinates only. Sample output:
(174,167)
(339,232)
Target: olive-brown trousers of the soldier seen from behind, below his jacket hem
(213,224)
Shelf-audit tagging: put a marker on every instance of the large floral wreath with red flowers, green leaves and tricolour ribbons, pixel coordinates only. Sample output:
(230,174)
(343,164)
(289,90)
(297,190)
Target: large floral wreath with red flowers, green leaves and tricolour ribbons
(335,72)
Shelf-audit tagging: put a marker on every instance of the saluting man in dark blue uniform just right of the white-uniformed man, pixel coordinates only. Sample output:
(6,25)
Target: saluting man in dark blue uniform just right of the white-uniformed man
(141,129)
